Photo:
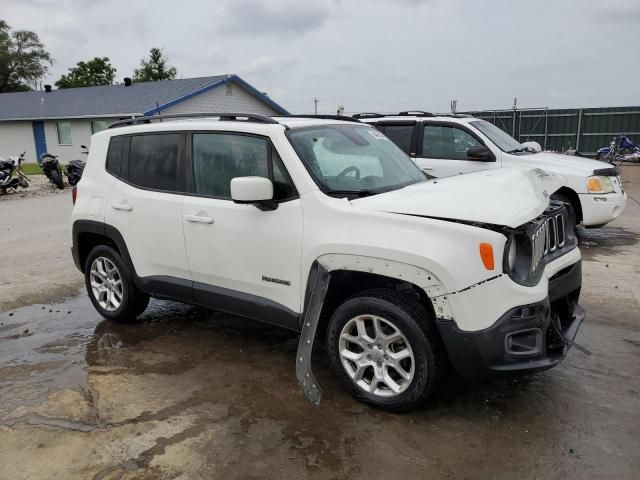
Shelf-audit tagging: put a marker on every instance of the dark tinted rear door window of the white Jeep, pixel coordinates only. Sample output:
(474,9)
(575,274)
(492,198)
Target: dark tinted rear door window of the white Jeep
(153,161)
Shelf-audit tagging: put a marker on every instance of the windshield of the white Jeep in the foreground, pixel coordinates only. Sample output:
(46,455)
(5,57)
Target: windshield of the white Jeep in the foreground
(353,159)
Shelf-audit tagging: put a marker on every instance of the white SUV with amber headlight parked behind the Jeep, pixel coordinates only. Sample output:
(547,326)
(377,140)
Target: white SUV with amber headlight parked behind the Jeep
(446,145)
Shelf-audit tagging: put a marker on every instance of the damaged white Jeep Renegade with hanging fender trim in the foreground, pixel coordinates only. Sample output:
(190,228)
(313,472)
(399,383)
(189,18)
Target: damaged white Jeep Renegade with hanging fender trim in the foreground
(325,226)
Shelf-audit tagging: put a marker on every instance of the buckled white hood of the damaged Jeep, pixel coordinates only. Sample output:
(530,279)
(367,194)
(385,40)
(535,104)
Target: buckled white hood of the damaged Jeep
(502,196)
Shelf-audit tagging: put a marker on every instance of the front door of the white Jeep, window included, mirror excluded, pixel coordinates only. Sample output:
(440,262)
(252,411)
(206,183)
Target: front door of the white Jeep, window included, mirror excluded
(243,260)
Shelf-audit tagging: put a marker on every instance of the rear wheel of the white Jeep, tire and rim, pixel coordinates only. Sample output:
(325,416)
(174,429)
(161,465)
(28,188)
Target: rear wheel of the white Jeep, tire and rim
(111,288)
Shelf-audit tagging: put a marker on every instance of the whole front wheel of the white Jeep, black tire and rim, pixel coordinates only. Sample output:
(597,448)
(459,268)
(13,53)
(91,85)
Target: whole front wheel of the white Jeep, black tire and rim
(385,349)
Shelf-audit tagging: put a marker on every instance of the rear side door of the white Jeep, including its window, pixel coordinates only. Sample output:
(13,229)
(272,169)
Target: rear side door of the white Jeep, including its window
(145,203)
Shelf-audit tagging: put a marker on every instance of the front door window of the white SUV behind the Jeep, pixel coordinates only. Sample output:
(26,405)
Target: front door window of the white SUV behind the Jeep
(447,142)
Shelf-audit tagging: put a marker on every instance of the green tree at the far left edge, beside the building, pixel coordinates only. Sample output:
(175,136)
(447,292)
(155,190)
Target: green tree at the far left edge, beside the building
(23,59)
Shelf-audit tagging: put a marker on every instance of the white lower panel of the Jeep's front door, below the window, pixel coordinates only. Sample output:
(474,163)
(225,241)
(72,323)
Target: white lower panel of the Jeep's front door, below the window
(244,249)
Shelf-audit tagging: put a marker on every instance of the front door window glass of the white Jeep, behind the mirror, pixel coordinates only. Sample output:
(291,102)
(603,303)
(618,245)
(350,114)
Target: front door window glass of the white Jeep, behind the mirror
(219,157)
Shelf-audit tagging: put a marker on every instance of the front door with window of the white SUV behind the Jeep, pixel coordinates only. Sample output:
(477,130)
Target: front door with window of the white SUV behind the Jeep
(442,150)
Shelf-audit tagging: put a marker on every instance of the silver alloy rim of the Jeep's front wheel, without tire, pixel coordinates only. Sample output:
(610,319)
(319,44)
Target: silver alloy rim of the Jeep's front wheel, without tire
(376,355)
